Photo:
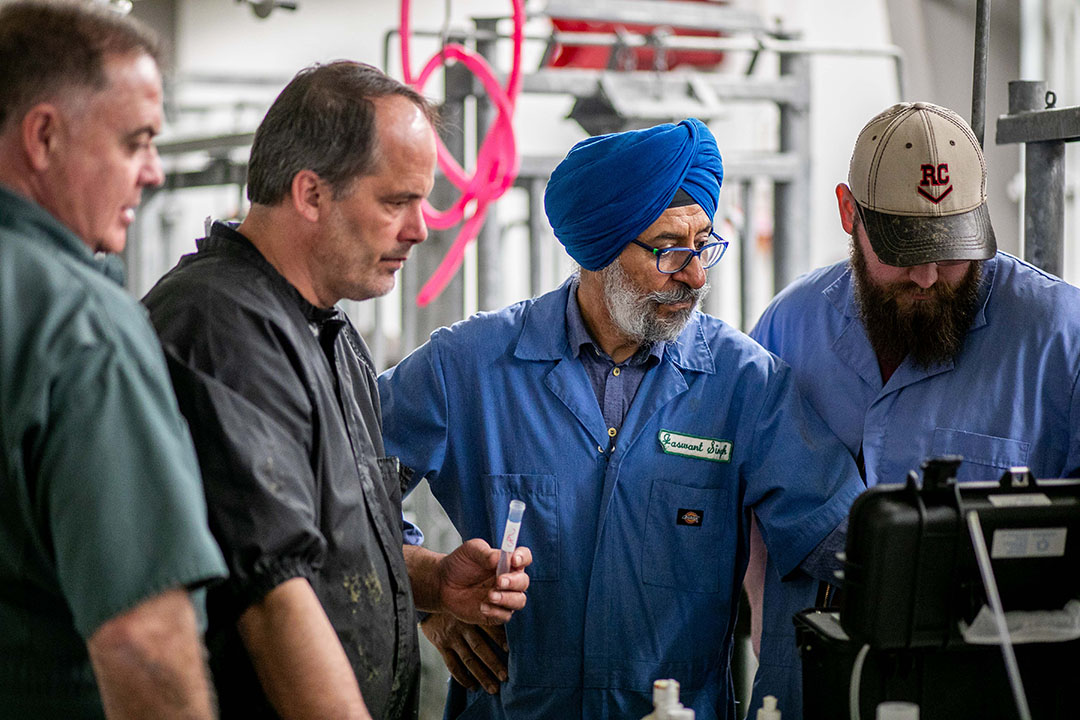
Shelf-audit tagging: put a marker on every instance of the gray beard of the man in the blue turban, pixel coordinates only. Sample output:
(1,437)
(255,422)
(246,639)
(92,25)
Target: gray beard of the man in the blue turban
(638,316)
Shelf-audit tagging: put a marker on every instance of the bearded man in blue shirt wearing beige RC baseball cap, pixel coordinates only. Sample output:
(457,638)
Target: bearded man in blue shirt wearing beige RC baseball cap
(927,342)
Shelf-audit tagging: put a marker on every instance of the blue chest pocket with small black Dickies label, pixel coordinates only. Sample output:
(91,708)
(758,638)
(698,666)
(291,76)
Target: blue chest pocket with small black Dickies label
(684,535)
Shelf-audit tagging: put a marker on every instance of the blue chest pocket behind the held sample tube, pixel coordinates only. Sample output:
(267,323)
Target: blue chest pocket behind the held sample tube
(539,523)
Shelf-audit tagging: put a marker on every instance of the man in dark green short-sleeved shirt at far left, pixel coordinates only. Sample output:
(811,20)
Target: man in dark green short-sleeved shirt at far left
(103,523)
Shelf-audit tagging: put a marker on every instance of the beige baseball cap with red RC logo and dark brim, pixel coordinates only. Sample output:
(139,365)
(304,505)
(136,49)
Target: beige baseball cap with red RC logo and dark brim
(920,178)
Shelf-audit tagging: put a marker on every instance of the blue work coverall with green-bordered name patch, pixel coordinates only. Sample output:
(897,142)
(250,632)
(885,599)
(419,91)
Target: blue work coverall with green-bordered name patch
(639,549)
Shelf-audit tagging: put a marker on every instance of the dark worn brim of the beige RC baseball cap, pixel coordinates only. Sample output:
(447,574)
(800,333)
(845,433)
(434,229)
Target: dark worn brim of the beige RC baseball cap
(904,240)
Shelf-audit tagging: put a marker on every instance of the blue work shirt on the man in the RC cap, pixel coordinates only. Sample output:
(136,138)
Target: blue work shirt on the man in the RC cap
(1009,398)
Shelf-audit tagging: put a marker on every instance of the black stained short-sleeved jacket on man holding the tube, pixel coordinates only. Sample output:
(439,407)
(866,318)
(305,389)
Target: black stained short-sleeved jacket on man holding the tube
(283,406)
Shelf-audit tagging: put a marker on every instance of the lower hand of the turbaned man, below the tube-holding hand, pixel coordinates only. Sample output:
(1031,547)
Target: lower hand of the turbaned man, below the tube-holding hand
(474,654)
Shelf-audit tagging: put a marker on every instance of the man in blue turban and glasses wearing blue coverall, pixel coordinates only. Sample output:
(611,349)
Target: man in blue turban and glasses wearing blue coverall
(639,432)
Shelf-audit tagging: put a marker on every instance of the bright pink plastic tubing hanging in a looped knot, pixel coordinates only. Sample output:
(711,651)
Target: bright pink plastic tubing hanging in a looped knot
(497,161)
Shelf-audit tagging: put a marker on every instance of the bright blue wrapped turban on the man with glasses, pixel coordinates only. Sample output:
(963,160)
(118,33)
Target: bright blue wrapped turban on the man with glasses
(611,188)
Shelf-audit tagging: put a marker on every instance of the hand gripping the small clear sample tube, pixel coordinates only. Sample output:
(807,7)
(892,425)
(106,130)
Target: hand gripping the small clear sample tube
(469,590)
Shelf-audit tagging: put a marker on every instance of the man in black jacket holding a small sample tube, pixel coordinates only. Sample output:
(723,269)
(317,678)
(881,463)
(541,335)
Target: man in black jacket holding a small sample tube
(318,618)
